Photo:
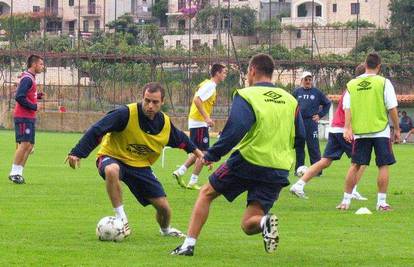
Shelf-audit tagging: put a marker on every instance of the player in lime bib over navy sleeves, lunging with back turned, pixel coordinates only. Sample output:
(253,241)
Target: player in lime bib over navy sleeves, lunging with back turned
(263,126)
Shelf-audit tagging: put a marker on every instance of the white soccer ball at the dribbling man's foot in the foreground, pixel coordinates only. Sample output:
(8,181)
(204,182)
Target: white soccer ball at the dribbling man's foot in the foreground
(110,228)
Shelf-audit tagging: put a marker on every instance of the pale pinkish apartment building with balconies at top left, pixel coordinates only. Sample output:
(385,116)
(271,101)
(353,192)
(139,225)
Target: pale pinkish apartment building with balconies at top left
(92,15)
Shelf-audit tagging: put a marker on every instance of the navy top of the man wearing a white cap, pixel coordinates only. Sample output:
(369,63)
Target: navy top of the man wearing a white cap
(312,102)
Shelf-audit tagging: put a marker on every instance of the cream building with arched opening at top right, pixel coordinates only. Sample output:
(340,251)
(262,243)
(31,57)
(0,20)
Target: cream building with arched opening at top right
(326,12)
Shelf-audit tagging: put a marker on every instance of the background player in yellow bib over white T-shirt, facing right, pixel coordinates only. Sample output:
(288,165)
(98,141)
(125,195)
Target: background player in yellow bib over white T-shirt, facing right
(199,121)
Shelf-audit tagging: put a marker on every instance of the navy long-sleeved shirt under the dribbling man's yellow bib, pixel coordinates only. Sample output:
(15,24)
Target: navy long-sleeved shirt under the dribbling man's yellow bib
(116,121)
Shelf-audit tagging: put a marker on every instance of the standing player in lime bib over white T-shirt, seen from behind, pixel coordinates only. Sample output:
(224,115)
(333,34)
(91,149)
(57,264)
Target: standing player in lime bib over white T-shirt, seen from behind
(367,102)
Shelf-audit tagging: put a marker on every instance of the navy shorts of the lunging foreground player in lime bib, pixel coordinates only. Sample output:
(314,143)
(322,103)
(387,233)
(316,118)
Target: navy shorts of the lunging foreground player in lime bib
(225,182)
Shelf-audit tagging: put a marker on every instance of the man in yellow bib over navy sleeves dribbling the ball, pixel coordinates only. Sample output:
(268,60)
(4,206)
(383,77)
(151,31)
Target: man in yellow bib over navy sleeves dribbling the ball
(133,137)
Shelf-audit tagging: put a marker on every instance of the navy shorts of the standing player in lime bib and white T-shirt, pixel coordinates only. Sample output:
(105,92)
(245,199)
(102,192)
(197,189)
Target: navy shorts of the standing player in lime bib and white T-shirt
(362,149)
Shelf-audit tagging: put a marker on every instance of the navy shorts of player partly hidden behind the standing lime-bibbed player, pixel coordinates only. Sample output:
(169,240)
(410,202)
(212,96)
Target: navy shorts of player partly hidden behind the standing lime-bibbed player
(337,146)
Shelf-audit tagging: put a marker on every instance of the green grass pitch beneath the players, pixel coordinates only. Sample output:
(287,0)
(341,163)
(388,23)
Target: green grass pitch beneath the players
(50,221)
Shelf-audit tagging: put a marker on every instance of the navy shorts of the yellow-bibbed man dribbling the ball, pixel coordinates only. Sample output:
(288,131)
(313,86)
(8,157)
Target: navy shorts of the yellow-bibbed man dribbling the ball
(141,181)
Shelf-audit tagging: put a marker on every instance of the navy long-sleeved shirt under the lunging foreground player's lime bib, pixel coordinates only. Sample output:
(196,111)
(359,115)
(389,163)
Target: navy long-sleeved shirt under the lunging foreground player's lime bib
(240,121)
